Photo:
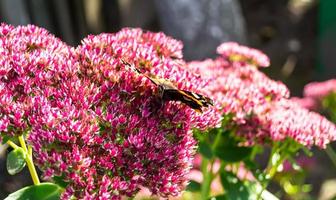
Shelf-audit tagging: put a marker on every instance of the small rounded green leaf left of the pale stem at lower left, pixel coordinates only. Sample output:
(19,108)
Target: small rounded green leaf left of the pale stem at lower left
(16,161)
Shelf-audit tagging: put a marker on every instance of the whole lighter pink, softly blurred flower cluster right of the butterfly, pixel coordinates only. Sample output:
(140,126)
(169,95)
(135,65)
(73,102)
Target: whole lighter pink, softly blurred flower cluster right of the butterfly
(259,106)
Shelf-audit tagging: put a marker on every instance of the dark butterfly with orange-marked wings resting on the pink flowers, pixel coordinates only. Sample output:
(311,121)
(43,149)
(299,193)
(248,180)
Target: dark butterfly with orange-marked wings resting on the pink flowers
(169,92)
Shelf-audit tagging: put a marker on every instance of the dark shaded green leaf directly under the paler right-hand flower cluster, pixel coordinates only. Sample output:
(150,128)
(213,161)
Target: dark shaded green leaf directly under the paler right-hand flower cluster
(232,153)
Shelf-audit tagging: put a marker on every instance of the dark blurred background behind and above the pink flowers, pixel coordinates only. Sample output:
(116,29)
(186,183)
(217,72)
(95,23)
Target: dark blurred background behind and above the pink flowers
(298,35)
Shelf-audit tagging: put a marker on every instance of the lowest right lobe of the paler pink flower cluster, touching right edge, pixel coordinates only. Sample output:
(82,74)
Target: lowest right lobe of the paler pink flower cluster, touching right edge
(288,119)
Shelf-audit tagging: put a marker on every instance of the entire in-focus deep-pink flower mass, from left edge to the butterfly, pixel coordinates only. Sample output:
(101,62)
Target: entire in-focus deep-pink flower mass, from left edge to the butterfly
(95,121)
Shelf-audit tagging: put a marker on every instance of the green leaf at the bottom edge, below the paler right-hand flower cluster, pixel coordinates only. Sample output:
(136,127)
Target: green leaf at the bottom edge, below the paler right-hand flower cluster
(234,188)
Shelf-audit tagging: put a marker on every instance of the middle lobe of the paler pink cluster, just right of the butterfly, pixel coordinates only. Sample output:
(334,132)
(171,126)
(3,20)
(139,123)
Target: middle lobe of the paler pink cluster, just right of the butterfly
(240,91)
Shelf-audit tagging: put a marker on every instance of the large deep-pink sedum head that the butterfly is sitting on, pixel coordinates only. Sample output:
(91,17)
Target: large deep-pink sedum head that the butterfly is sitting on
(110,134)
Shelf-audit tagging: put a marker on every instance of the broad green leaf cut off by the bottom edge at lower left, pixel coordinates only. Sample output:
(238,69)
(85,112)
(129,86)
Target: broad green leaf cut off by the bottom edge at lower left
(43,191)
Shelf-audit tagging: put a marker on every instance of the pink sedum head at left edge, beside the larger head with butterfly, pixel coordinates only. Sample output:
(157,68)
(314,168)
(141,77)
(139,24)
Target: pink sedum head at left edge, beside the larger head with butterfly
(31,62)
